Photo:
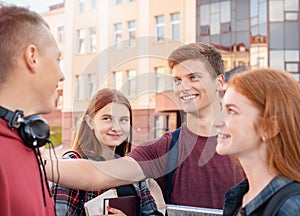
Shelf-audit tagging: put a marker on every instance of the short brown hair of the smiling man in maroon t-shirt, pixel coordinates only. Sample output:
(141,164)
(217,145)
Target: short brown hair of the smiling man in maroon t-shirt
(201,51)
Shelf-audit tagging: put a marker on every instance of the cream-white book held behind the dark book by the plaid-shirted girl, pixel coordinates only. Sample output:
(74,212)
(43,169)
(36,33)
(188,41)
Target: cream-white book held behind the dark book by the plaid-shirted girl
(95,206)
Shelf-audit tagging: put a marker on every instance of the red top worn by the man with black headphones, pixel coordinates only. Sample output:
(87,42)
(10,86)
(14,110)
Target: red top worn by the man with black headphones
(20,182)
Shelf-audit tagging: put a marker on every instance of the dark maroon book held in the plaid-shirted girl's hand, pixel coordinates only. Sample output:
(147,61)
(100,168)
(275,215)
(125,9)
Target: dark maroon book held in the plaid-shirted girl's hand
(127,204)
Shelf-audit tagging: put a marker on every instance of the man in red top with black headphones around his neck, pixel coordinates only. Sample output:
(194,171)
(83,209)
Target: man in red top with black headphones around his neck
(29,76)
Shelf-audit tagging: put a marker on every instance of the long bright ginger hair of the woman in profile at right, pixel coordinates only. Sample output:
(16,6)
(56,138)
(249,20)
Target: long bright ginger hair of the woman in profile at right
(277,95)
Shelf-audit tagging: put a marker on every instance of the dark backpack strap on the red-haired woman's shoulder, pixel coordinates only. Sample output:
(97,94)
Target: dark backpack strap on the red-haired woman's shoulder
(280,197)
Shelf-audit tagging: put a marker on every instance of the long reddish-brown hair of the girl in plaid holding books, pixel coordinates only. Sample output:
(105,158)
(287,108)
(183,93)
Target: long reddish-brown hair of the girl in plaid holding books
(86,143)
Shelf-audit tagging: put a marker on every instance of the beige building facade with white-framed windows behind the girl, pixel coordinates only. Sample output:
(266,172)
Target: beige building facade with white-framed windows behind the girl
(121,44)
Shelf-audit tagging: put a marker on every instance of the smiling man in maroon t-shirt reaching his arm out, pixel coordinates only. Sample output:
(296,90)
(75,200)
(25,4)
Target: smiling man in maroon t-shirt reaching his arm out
(202,177)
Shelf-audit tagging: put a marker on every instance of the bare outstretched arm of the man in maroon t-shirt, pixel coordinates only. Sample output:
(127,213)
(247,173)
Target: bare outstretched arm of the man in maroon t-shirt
(91,175)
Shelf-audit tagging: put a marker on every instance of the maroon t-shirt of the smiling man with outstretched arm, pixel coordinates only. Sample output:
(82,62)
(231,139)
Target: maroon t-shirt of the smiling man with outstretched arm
(202,177)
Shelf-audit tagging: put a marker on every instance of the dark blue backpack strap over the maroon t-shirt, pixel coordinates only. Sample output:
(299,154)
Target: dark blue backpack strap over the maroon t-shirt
(172,162)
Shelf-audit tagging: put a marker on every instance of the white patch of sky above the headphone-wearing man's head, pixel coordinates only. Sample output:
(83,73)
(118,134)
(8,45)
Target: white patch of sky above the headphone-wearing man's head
(35,5)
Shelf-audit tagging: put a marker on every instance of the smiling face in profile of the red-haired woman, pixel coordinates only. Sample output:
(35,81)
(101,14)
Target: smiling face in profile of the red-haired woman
(237,134)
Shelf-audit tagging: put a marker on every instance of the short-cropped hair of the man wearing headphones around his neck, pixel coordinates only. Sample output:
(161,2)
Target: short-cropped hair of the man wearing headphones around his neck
(19,27)
